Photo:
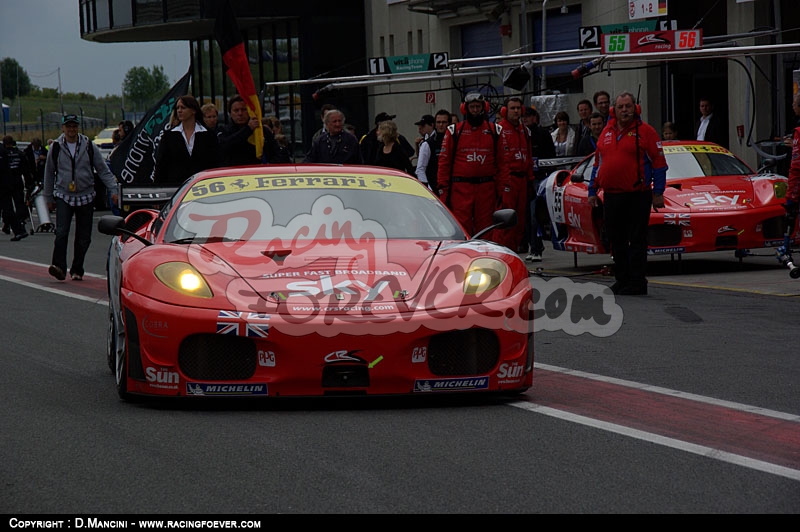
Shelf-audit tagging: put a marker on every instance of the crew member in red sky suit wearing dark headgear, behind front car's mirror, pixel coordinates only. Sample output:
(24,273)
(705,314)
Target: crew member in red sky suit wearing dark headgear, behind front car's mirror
(472,166)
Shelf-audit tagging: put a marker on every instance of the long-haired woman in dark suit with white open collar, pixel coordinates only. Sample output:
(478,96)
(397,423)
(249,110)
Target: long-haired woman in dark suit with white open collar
(187,147)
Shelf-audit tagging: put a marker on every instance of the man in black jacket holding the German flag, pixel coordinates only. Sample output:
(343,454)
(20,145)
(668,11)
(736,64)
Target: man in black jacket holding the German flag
(235,149)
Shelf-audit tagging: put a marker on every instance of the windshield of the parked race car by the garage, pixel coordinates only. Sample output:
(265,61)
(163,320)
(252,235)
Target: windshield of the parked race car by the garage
(702,160)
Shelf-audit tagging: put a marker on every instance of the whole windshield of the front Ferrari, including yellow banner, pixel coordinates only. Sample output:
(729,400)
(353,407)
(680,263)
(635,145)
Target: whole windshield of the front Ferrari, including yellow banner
(296,207)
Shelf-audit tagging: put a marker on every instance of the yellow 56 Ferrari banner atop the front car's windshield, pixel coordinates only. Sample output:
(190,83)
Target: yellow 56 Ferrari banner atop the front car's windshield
(258,183)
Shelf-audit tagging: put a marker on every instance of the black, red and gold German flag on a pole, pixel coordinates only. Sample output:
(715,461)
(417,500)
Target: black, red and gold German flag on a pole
(229,38)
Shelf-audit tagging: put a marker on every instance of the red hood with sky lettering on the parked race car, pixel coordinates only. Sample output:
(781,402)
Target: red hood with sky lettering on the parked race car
(718,193)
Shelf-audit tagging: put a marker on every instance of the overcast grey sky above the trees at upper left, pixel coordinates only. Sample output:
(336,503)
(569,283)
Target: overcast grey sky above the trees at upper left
(44,35)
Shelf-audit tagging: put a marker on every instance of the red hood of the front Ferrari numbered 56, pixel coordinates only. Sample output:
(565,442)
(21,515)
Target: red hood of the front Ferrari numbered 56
(387,275)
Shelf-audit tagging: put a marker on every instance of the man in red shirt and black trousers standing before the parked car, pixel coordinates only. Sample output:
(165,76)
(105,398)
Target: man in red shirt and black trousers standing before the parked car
(631,169)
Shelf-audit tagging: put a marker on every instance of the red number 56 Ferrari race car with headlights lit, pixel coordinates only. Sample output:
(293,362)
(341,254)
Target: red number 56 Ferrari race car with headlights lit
(312,280)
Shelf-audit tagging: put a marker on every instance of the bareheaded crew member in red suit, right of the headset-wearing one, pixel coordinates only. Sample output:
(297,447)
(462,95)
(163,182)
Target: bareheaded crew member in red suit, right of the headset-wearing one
(518,159)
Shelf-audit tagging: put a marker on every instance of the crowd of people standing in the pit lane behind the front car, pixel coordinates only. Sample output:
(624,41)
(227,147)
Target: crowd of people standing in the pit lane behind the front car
(474,165)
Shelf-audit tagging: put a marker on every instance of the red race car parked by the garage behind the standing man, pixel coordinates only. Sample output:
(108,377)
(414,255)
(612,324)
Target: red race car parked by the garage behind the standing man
(713,201)
